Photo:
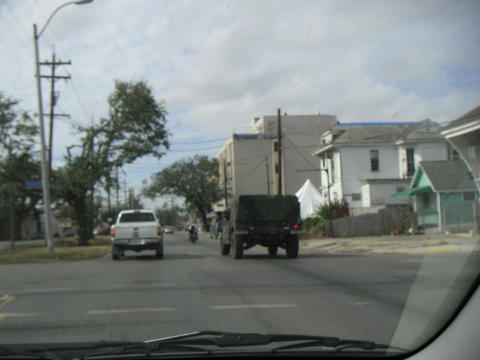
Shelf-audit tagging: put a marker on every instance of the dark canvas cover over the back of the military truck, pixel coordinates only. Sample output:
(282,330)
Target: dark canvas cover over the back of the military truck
(267,208)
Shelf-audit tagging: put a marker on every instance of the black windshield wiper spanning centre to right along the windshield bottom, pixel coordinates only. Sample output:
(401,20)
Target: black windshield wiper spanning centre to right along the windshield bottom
(204,341)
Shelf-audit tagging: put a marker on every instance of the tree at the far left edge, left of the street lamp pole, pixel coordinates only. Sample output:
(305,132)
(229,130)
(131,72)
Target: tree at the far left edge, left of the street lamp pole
(17,164)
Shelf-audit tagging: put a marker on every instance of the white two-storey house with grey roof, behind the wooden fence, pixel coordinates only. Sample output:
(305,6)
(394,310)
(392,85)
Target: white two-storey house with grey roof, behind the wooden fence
(365,163)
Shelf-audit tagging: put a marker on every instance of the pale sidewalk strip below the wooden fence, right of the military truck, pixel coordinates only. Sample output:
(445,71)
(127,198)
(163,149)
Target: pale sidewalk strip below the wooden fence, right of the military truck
(414,244)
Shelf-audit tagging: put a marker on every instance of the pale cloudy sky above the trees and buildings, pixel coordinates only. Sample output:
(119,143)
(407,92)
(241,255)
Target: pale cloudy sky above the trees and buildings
(218,64)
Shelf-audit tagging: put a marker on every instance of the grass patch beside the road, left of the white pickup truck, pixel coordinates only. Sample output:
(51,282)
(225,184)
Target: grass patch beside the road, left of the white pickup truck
(65,250)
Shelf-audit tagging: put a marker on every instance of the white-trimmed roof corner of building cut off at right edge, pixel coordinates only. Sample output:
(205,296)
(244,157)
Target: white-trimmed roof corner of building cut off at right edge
(464,135)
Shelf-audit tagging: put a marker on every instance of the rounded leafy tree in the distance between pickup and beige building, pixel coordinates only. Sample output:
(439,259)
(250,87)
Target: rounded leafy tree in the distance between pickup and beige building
(194,179)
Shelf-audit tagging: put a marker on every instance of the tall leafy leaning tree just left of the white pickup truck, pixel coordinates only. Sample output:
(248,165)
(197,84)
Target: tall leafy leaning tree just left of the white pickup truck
(135,127)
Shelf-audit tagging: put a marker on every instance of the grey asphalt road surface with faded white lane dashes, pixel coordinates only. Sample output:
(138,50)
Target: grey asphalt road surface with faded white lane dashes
(195,288)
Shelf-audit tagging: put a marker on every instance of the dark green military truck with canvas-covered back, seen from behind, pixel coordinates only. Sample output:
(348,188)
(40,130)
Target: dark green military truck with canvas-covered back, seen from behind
(270,221)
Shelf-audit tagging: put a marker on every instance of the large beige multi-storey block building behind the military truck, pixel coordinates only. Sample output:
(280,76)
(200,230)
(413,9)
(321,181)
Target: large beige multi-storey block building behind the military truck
(249,162)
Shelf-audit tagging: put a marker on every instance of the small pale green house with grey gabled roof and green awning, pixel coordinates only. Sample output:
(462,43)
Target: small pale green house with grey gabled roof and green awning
(445,196)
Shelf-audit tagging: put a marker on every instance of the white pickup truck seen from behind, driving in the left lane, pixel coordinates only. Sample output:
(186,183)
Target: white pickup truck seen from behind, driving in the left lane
(136,230)
